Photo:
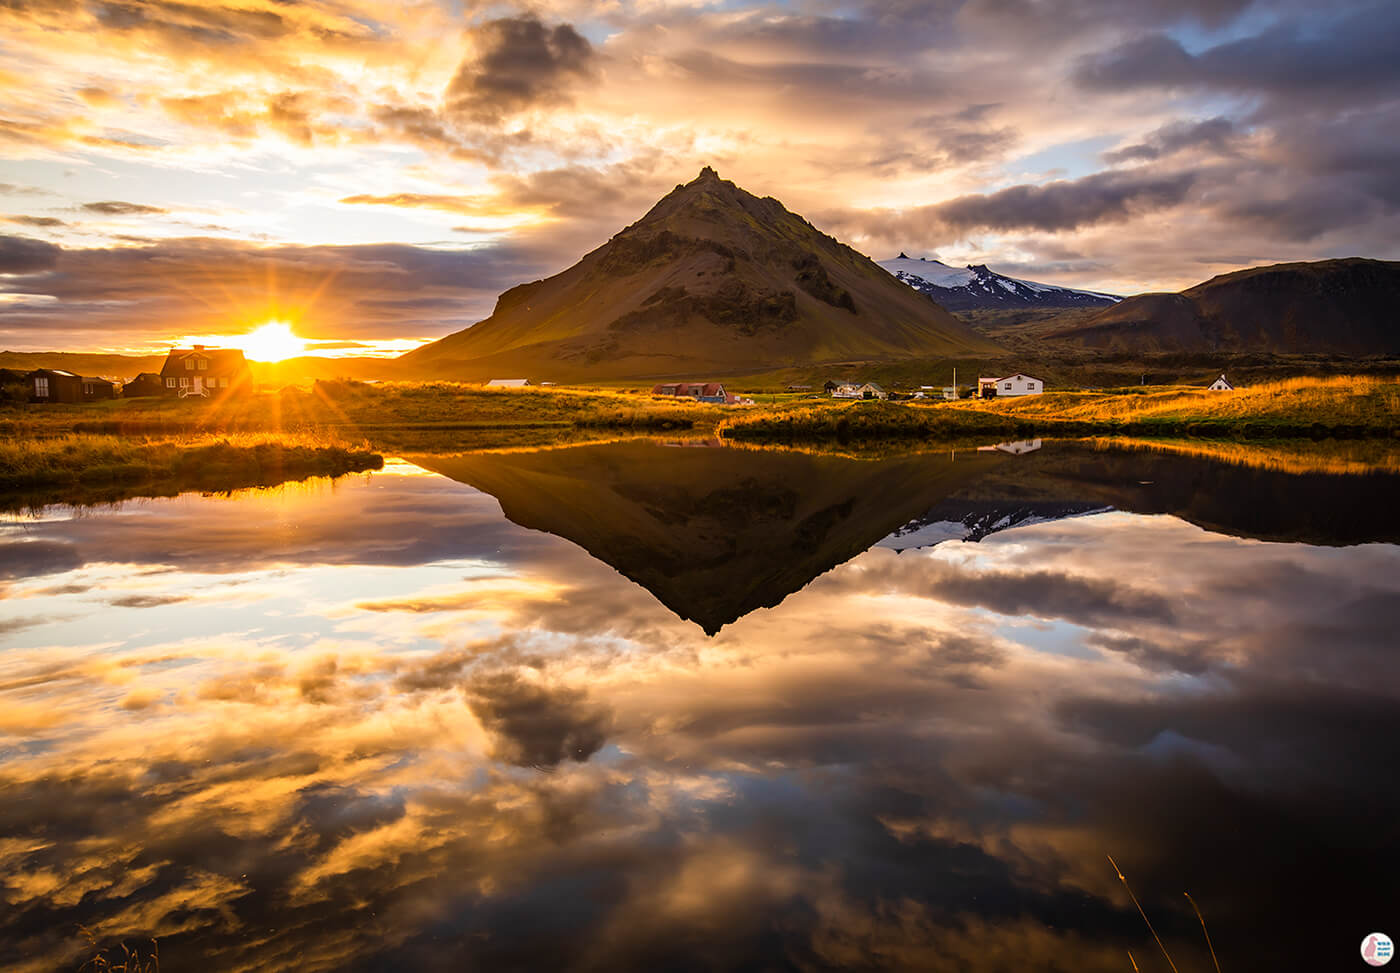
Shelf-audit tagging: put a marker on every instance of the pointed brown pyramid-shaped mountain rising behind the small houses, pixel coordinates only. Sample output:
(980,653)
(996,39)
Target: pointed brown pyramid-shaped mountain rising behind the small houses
(713,281)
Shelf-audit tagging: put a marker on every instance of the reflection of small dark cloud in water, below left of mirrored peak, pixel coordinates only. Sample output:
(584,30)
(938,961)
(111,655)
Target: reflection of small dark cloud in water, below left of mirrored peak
(537,726)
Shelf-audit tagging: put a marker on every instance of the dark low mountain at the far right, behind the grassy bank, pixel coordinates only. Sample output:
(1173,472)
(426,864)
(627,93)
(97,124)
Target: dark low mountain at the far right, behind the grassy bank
(1326,307)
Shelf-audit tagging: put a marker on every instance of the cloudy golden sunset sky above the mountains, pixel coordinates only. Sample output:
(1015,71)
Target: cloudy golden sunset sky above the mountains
(377,174)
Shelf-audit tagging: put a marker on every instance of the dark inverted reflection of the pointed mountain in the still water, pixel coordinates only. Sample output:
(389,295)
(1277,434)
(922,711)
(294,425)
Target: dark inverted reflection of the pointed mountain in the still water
(713,534)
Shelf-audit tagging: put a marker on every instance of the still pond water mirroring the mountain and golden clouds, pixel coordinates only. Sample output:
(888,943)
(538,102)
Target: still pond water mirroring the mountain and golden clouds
(659,708)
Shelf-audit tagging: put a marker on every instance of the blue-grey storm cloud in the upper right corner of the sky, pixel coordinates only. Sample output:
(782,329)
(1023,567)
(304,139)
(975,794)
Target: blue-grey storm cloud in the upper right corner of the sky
(1352,57)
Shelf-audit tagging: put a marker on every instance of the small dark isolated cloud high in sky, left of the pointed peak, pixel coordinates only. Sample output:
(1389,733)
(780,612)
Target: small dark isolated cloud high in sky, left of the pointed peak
(519,64)
